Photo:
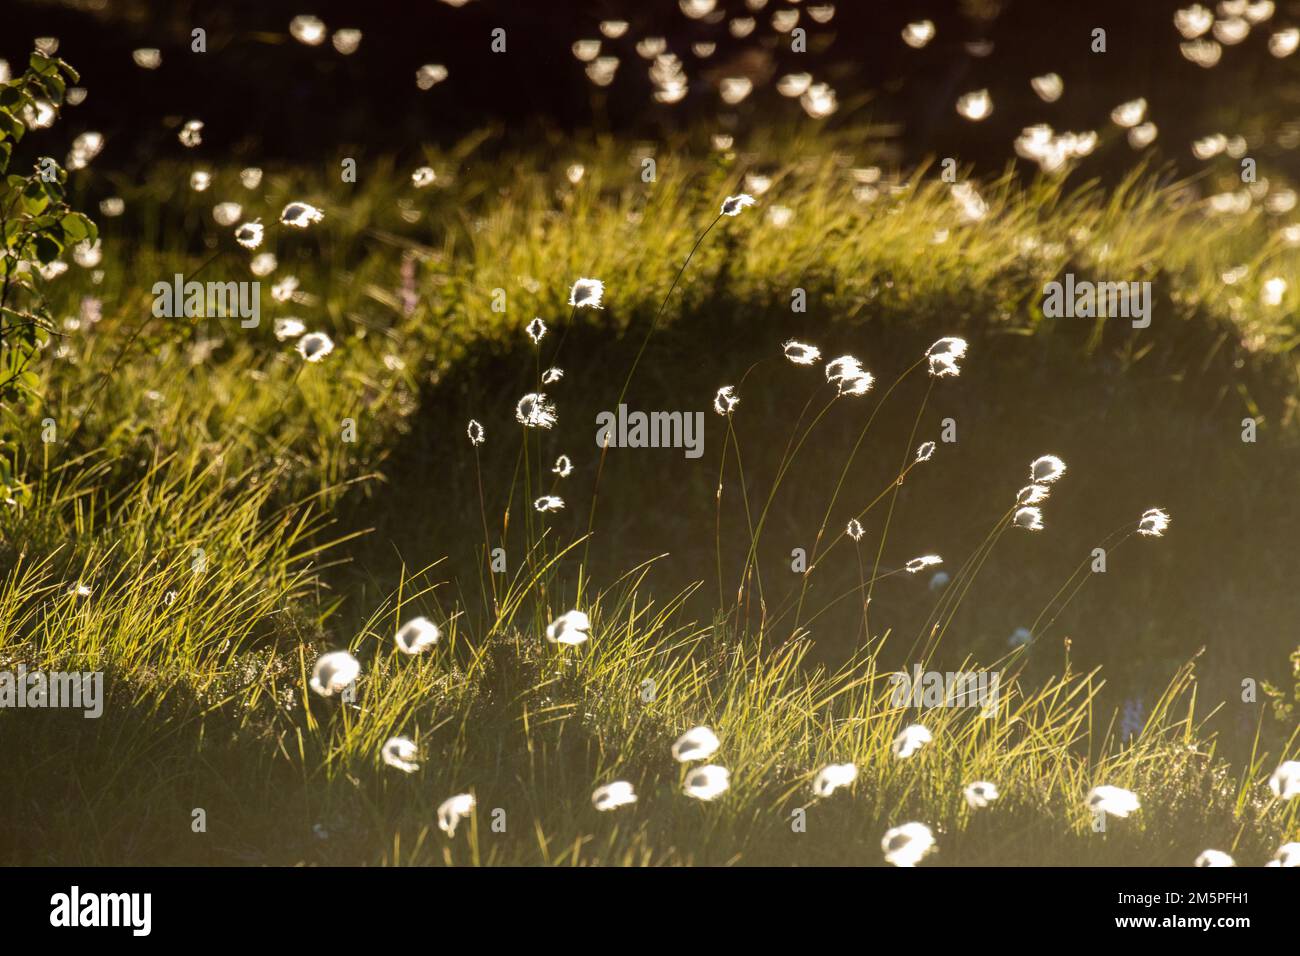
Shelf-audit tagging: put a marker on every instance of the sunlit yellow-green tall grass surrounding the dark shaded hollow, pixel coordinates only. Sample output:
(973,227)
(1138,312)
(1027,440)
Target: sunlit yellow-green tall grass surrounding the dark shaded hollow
(194,491)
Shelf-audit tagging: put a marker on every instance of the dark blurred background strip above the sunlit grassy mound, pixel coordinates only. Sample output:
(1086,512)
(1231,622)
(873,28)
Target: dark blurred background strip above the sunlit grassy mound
(265,96)
